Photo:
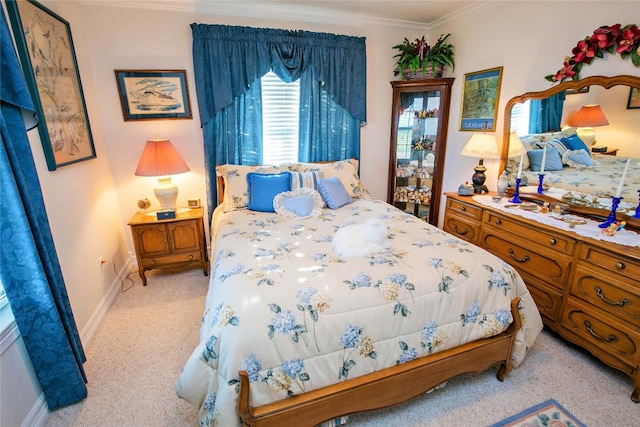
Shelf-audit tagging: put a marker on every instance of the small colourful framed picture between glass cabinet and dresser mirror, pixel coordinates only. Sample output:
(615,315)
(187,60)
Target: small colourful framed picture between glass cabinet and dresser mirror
(480,97)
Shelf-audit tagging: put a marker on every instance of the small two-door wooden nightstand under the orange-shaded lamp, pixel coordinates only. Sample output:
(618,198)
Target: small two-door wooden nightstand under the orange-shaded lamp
(167,243)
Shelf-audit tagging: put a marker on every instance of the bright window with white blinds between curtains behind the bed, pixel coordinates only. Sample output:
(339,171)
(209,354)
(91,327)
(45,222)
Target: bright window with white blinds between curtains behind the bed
(280,106)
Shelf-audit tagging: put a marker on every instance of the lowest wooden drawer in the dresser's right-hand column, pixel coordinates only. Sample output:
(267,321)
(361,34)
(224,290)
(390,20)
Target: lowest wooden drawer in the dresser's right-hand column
(604,332)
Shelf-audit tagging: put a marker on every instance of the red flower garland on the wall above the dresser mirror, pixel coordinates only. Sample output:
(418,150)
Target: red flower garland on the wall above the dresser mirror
(624,41)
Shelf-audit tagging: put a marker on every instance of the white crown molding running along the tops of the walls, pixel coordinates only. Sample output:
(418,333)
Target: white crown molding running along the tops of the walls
(288,13)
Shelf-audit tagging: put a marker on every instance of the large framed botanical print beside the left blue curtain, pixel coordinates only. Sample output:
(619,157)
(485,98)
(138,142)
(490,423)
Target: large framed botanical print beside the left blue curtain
(49,62)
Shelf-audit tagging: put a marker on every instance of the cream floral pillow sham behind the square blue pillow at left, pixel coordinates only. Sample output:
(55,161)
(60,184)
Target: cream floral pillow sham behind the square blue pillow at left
(236,193)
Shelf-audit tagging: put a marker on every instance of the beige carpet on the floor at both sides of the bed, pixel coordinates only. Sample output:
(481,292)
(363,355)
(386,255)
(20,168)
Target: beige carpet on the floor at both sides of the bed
(150,331)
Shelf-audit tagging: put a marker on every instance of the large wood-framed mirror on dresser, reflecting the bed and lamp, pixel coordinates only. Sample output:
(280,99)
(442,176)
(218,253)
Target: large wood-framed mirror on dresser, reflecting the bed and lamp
(587,186)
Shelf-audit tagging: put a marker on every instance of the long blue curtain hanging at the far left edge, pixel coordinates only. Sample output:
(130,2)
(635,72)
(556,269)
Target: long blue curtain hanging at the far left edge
(29,267)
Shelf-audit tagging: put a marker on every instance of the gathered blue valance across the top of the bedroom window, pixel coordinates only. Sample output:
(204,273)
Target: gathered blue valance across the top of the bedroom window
(227,59)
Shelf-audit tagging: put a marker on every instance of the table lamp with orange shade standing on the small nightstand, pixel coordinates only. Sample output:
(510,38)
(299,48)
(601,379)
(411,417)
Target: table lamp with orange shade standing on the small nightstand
(161,159)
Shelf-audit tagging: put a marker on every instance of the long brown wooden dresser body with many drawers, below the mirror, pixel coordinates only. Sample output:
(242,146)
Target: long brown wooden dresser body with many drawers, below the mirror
(587,290)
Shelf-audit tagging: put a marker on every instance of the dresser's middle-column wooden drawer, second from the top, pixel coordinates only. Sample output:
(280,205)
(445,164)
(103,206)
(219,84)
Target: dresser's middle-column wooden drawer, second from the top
(549,266)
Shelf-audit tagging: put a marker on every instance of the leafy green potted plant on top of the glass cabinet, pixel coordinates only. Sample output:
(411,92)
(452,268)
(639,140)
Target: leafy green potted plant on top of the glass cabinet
(418,60)
